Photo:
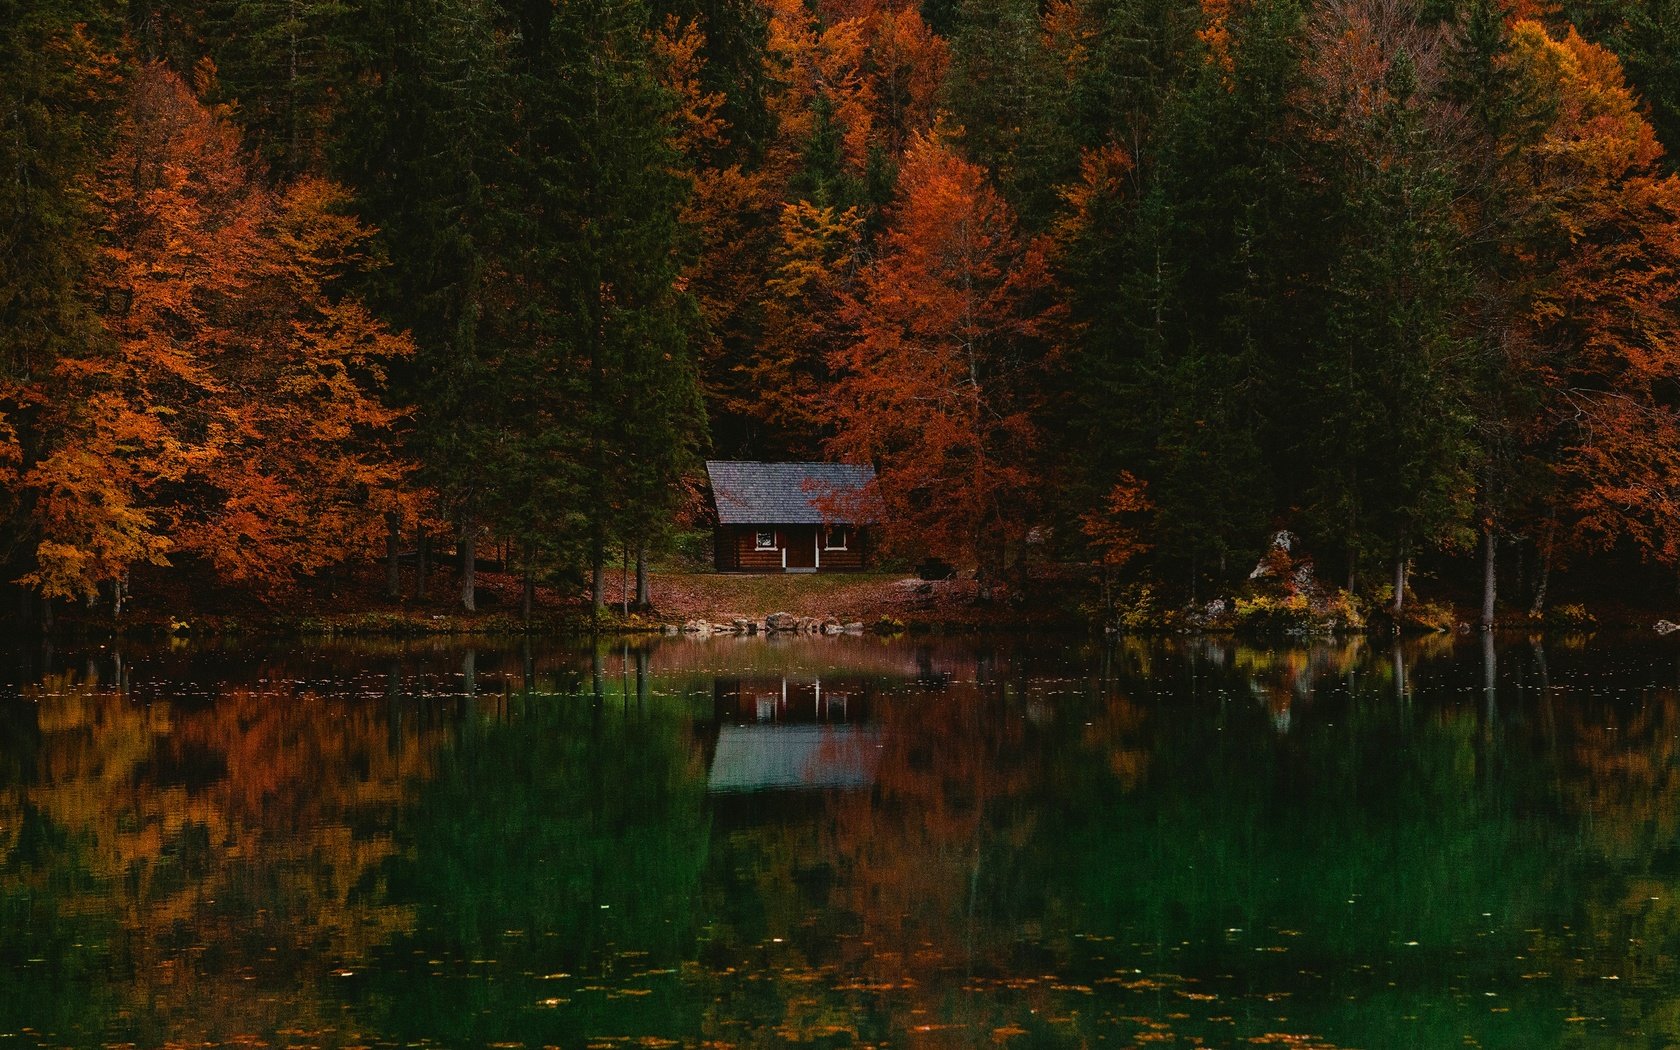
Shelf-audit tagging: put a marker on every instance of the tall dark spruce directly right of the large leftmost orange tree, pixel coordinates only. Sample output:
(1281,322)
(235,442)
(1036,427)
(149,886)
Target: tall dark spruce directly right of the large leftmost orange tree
(421,144)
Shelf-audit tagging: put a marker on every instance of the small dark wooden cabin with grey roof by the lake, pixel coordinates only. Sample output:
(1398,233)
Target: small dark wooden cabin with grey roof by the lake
(790,518)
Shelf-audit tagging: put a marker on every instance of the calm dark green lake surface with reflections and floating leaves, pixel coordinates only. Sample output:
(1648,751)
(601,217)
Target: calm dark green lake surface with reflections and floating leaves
(843,843)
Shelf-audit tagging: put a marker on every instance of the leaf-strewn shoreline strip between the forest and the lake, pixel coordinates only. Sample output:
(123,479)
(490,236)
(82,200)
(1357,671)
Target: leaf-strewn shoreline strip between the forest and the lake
(1058,602)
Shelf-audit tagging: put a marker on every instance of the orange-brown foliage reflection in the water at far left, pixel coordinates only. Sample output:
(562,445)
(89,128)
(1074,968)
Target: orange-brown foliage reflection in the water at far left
(256,824)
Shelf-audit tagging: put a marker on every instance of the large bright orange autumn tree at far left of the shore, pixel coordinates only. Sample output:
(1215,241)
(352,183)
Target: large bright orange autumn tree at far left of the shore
(233,417)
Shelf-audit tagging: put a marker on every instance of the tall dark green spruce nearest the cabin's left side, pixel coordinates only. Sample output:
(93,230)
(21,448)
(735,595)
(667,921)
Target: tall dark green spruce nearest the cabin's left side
(604,194)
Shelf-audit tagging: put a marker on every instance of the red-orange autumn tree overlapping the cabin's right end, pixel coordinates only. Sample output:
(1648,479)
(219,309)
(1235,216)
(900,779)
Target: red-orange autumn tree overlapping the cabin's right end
(938,387)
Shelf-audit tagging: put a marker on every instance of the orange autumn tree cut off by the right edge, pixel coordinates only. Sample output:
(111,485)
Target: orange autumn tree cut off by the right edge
(1602,322)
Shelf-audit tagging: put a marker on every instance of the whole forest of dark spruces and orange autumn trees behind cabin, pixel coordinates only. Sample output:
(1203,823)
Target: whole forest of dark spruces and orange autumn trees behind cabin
(288,286)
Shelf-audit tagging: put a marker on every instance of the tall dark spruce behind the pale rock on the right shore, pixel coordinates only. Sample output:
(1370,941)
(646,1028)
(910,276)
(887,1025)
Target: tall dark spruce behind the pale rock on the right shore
(1392,449)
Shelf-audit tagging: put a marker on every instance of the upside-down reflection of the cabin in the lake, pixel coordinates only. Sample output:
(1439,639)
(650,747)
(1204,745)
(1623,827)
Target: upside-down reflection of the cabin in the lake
(792,735)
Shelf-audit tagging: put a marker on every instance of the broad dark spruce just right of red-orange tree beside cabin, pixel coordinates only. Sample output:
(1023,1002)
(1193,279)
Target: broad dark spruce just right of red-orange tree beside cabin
(1182,293)
